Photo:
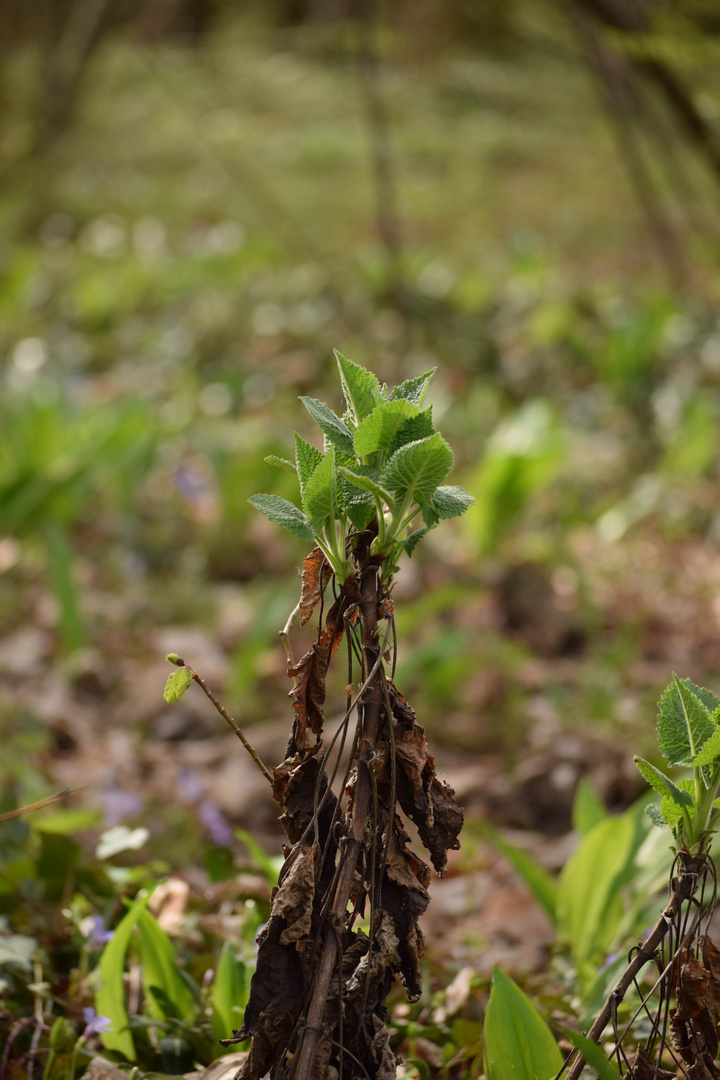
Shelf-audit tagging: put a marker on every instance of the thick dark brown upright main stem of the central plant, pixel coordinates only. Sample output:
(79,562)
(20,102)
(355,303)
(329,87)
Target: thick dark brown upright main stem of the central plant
(371,718)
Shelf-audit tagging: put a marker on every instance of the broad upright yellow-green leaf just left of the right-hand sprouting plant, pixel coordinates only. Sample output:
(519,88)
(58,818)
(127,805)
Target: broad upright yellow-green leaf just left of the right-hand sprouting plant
(589,904)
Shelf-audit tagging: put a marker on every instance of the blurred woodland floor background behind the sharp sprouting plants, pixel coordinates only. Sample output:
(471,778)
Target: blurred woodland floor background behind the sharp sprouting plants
(200,200)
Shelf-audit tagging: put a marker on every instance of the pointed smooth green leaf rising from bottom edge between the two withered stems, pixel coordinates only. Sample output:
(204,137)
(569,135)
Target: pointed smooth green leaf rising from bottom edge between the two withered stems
(519,1044)
